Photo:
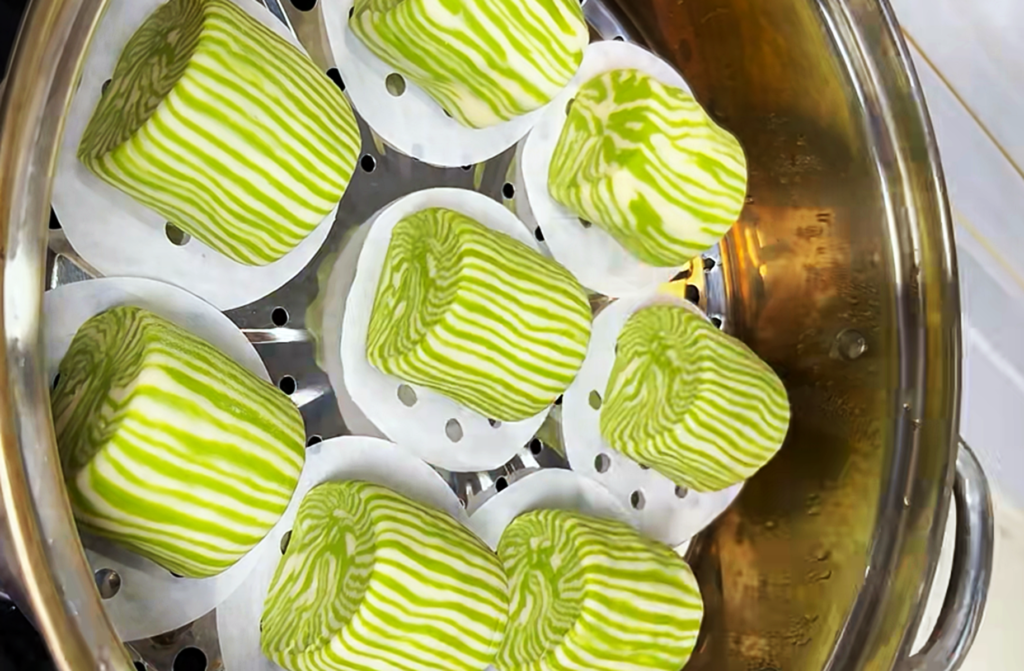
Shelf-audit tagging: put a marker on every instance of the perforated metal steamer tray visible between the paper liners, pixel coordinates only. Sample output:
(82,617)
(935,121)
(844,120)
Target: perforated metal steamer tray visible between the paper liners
(296,330)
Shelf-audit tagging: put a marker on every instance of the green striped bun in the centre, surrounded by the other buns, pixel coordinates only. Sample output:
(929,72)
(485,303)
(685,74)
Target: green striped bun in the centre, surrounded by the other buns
(477,316)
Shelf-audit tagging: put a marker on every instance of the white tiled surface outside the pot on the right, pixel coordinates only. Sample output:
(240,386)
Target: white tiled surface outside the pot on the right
(970,60)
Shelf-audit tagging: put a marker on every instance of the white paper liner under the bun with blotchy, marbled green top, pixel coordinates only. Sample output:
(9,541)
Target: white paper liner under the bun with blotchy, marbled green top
(590,254)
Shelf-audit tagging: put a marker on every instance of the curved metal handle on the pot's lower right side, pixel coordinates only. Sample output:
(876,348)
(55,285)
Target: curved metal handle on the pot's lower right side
(961,616)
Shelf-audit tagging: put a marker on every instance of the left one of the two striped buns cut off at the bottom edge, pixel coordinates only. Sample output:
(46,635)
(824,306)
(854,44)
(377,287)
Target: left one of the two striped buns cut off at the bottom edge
(372,580)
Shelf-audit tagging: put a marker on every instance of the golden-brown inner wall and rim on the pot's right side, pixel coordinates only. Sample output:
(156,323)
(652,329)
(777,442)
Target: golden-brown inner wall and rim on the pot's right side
(823,562)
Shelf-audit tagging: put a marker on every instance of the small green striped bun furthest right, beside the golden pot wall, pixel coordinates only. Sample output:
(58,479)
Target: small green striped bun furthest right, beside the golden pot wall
(691,402)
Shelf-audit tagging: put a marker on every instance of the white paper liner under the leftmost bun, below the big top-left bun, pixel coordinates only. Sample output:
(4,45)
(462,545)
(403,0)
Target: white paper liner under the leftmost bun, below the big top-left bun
(151,601)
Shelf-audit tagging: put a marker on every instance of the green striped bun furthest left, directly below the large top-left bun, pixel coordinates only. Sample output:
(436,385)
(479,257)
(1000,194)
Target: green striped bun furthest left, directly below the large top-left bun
(168,447)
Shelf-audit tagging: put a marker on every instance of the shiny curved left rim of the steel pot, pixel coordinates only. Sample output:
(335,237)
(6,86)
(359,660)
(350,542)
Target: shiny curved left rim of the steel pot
(41,547)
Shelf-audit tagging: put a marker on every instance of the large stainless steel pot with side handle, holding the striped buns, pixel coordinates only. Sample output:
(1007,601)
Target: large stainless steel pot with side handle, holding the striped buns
(841,274)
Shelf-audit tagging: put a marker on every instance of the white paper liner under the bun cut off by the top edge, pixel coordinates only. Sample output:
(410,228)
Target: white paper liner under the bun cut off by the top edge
(412,122)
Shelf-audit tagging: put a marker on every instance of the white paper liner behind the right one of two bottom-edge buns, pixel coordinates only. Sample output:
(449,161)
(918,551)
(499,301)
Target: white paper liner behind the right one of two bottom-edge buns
(550,489)
